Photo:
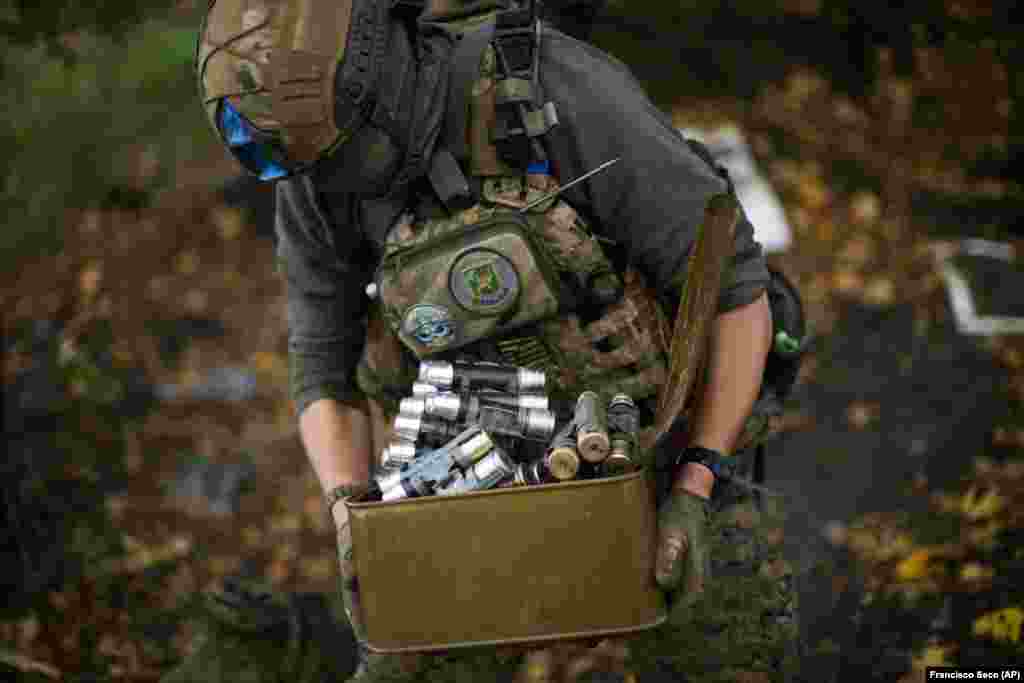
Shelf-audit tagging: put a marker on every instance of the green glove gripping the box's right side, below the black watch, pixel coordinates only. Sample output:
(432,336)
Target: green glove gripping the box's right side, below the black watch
(682,564)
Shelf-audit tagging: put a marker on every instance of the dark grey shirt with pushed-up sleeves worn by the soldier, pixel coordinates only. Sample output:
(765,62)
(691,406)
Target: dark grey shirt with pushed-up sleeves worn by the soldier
(652,203)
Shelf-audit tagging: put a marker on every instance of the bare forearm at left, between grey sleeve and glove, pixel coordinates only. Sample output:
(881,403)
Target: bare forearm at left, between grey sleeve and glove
(338,440)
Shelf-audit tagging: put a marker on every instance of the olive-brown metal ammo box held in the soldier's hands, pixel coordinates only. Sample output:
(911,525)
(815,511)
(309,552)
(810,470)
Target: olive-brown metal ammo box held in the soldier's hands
(523,565)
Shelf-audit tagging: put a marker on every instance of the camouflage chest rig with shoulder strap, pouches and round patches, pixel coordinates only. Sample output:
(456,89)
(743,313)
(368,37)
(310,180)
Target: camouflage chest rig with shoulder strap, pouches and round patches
(495,269)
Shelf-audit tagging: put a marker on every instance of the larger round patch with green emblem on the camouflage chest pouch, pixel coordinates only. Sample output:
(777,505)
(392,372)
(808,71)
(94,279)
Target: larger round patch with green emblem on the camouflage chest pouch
(485,282)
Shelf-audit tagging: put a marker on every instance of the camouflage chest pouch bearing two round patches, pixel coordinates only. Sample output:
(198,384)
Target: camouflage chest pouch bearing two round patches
(463,286)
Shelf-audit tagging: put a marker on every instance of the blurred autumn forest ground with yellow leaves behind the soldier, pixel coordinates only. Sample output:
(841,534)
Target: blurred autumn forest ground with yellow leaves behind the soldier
(152,449)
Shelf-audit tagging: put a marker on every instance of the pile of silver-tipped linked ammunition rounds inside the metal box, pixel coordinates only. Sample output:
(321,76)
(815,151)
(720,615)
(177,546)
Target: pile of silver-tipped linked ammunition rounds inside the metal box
(474,426)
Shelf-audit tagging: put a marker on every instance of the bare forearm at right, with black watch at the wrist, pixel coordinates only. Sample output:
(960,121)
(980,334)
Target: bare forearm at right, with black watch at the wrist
(740,345)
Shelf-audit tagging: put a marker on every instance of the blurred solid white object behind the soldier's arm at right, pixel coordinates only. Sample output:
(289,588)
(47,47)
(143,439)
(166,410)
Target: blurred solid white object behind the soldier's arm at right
(760,202)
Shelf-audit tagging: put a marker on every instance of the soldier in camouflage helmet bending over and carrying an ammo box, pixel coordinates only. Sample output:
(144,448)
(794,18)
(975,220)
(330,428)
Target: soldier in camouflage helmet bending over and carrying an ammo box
(393,131)
